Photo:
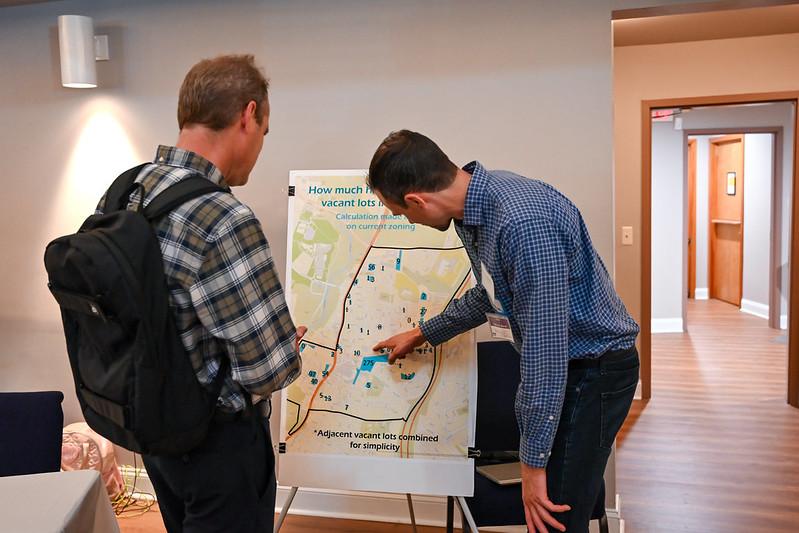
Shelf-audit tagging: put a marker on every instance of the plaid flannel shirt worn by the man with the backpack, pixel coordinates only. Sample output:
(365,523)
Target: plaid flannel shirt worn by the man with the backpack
(224,291)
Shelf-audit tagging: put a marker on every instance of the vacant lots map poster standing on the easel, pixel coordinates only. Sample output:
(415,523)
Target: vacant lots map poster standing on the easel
(358,275)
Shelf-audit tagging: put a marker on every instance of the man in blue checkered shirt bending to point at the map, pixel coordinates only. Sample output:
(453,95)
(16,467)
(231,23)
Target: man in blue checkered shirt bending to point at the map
(541,285)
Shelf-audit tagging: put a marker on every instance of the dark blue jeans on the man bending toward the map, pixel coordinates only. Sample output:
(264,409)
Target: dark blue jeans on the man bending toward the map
(598,398)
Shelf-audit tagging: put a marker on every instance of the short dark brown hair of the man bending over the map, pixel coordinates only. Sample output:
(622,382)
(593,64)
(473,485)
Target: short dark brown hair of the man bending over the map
(406,162)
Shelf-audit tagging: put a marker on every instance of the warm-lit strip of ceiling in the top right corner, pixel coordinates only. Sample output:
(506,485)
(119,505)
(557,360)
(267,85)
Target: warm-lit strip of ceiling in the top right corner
(704,26)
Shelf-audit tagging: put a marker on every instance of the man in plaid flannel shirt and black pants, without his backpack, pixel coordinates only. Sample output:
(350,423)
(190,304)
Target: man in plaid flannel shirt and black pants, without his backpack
(227,301)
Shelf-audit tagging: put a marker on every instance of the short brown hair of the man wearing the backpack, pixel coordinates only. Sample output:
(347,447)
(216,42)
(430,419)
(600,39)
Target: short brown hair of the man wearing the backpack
(216,91)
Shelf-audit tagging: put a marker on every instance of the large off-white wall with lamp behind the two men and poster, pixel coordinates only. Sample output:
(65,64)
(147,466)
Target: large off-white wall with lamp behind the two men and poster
(522,85)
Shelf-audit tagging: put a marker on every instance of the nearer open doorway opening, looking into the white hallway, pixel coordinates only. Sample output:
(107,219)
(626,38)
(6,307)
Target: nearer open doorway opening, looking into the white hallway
(726,172)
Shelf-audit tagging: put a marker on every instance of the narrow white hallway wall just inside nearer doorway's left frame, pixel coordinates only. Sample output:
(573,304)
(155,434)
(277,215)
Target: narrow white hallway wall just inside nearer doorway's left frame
(667,228)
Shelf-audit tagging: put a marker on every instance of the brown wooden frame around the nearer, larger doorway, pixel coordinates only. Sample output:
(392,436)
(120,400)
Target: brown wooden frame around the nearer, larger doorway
(646,229)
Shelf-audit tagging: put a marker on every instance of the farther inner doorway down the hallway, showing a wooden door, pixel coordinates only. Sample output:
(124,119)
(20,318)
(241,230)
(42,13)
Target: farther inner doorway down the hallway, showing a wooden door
(737,238)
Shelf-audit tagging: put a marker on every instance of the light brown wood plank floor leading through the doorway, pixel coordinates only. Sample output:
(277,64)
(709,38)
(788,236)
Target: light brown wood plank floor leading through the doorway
(716,449)
